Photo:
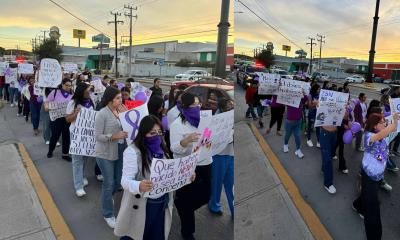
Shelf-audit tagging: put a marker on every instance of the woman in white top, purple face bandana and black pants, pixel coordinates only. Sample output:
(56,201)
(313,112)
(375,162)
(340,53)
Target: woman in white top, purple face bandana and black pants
(184,136)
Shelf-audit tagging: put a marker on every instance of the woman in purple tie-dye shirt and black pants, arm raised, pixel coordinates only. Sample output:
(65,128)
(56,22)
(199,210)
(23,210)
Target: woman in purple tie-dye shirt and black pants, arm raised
(374,161)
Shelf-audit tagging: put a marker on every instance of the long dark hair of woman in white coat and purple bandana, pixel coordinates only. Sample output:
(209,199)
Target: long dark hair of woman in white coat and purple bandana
(146,125)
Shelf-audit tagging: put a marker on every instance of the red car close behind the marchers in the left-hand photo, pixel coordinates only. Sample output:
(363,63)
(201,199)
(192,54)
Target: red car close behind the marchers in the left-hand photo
(204,91)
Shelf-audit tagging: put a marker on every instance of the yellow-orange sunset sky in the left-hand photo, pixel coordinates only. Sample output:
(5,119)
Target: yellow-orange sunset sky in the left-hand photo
(22,20)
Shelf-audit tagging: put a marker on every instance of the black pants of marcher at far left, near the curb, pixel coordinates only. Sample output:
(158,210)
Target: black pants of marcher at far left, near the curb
(59,127)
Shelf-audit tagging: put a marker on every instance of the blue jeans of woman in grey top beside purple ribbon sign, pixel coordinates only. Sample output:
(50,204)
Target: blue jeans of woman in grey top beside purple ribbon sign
(112,173)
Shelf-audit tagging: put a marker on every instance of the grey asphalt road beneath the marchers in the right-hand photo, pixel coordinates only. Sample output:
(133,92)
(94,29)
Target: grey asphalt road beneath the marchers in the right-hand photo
(334,211)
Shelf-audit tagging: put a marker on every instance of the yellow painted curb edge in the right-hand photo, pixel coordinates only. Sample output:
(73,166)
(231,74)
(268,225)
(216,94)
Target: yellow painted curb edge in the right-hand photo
(313,222)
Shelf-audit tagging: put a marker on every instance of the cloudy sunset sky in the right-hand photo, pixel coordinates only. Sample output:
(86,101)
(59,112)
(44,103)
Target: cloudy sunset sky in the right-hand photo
(347,25)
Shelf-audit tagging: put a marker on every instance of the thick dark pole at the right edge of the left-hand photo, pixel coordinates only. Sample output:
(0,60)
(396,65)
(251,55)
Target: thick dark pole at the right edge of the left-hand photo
(223,28)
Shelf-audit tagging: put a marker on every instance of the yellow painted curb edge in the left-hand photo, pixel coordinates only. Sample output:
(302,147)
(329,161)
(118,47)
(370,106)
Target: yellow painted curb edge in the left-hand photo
(56,220)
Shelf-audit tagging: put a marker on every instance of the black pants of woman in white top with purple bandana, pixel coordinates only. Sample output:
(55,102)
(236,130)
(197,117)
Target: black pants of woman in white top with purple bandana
(193,196)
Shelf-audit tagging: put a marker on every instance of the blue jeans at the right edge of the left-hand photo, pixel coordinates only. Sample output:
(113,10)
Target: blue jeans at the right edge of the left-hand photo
(221,174)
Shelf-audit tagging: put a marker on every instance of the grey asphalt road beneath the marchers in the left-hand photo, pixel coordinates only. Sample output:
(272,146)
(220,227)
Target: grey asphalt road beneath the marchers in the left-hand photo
(83,215)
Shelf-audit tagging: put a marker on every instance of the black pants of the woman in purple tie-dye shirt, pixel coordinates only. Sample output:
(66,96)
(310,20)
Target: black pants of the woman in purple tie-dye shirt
(368,205)
